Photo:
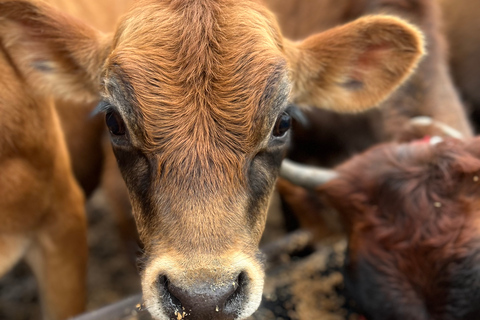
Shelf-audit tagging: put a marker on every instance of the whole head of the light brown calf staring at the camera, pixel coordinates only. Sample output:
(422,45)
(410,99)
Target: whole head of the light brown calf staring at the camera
(196,95)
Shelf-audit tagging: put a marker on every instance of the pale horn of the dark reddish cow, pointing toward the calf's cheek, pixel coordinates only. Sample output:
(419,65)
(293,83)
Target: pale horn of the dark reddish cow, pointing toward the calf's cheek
(305,176)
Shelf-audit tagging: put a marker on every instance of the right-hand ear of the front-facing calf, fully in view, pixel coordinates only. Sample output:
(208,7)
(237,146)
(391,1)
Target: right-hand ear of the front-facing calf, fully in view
(356,66)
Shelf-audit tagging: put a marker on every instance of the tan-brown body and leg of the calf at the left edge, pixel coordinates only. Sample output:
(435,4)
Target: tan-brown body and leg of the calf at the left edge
(41,206)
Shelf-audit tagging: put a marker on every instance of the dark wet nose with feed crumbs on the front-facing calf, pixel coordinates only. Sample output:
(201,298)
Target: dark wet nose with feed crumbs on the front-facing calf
(203,301)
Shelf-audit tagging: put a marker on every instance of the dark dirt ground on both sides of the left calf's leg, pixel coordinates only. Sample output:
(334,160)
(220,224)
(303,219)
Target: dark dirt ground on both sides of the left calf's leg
(112,274)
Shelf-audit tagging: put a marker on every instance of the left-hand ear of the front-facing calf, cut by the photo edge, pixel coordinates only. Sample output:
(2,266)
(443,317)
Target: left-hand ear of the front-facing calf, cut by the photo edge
(53,52)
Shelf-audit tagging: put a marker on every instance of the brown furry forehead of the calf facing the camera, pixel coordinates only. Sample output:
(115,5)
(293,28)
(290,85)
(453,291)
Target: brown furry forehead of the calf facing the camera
(198,63)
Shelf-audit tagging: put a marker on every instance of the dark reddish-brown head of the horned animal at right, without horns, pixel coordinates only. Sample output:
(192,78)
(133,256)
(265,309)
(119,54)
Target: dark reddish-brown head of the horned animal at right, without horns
(412,214)
